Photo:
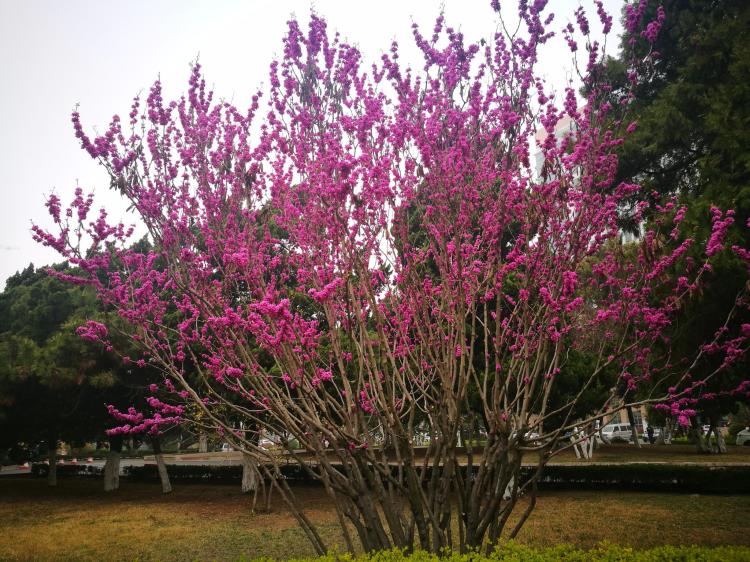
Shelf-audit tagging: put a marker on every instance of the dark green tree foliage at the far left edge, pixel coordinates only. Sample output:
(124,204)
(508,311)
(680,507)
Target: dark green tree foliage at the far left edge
(53,384)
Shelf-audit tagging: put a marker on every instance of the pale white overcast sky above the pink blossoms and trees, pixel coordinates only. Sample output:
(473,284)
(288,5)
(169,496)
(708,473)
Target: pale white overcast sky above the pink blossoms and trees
(55,54)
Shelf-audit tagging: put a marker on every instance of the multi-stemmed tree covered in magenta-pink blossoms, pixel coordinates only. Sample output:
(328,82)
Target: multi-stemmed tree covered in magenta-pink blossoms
(371,253)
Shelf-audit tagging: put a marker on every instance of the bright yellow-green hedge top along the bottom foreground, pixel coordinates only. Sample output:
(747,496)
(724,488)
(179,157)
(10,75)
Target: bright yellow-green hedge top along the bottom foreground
(565,553)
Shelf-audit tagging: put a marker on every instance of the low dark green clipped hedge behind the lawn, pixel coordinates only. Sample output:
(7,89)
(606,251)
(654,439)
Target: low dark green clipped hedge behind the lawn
(644,476)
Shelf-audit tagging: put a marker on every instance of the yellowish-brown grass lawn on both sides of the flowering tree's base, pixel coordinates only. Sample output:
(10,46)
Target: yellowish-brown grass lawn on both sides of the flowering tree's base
(77,521)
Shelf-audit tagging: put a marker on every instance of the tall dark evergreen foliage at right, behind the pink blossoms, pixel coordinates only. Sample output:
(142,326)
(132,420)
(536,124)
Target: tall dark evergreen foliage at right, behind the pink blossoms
(692,142)
